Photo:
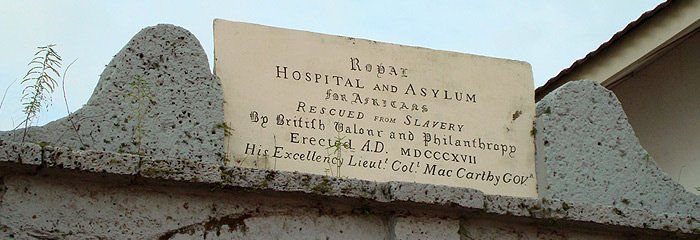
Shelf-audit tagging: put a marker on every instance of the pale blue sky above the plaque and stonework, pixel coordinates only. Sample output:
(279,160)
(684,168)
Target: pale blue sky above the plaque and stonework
(550,35)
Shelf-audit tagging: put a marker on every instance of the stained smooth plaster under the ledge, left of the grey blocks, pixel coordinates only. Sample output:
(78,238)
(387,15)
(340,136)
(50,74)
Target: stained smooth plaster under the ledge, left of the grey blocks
(48,208)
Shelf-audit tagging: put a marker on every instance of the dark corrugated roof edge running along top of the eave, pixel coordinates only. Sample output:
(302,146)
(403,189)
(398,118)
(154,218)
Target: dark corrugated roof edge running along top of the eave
(556,81)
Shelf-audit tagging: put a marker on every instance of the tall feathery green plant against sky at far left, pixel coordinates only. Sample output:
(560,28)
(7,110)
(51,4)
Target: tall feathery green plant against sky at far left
(39,83)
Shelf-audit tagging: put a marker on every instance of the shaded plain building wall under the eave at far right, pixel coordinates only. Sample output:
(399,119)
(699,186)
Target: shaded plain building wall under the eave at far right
(662,101)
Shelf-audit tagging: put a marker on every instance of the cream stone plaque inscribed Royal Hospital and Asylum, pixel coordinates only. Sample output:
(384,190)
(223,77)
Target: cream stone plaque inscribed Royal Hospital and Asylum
(354,108)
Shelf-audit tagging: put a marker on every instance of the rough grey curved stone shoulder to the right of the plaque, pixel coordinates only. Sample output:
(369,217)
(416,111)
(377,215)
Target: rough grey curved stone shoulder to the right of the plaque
(588,153)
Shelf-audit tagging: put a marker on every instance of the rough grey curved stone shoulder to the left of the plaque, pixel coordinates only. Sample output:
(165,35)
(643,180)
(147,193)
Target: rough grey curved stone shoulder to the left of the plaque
(178,116)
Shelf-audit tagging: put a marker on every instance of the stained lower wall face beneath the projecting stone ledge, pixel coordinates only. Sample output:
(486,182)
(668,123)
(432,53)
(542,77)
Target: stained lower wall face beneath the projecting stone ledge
(62,204)
